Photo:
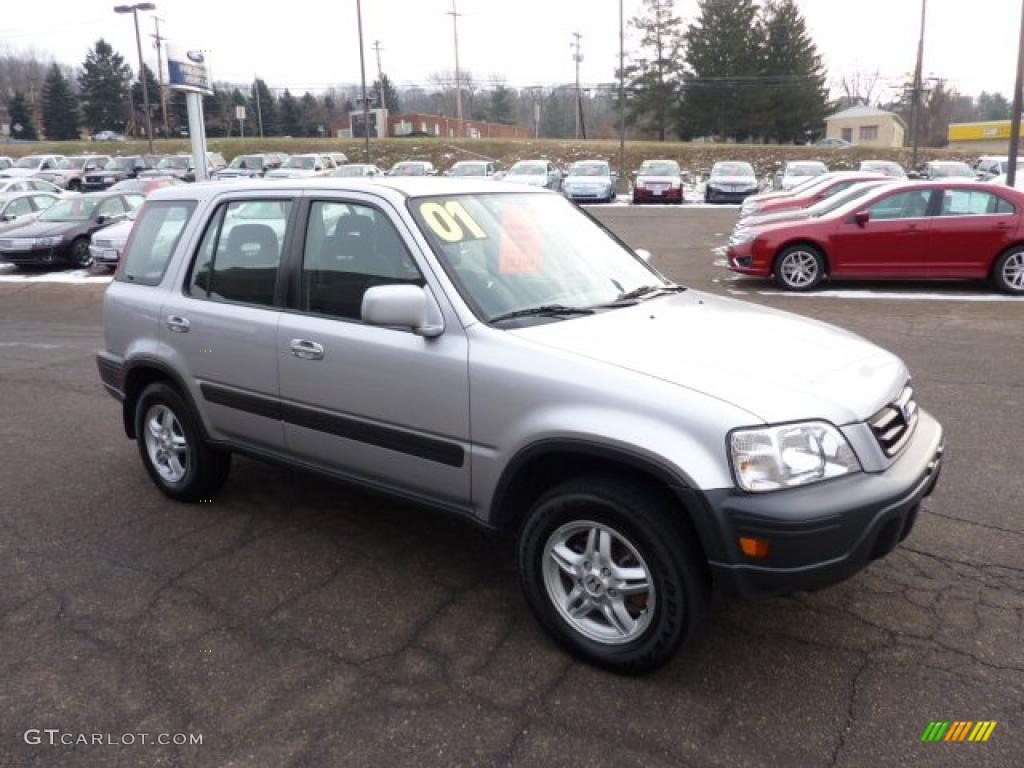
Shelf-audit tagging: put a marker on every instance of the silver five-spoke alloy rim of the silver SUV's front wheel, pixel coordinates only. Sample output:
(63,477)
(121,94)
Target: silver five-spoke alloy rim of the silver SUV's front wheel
(599,582)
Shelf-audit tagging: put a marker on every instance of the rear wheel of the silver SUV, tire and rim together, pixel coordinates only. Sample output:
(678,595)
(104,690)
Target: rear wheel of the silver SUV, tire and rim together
(178,458)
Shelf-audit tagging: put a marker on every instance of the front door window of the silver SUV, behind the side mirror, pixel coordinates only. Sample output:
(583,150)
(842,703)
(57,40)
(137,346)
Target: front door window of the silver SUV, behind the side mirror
(351,248)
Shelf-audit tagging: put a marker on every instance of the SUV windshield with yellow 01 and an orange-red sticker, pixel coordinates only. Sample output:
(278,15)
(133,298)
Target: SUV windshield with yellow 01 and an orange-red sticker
(509,252)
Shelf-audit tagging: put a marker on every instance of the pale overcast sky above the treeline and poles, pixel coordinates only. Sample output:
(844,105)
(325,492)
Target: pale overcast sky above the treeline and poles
(309,45)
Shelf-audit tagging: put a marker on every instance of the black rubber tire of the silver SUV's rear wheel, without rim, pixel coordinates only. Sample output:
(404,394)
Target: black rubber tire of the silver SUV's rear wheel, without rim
(206,468)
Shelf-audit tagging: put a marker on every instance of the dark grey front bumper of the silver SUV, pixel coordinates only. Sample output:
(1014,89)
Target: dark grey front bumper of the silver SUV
(824,534)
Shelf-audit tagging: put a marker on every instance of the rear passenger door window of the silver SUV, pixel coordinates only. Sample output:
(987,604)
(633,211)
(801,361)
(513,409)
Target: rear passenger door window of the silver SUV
(240,254)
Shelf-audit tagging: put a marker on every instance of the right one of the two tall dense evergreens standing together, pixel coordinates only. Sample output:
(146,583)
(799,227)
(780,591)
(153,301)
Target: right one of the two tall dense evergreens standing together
(794,98)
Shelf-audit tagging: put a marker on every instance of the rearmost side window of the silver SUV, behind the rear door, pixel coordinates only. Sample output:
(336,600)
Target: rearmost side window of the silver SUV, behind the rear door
(154,239)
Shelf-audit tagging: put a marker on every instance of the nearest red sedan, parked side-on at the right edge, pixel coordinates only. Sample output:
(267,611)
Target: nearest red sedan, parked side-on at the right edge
(908,230)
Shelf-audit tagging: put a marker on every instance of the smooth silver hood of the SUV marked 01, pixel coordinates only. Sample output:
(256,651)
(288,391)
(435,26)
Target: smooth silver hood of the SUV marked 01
(717,347)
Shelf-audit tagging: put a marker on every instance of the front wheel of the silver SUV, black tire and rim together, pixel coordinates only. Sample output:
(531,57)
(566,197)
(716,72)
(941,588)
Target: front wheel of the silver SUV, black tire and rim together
(610,576)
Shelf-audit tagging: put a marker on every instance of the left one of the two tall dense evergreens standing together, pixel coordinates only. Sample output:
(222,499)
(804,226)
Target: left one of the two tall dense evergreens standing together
(724,58)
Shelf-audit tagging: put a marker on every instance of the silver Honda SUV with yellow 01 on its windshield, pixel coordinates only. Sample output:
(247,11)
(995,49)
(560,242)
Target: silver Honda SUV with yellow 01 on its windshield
(490,351)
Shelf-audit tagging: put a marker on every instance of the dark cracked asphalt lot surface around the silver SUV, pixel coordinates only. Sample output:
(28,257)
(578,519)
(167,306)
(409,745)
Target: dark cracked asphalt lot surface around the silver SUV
(293,622)
